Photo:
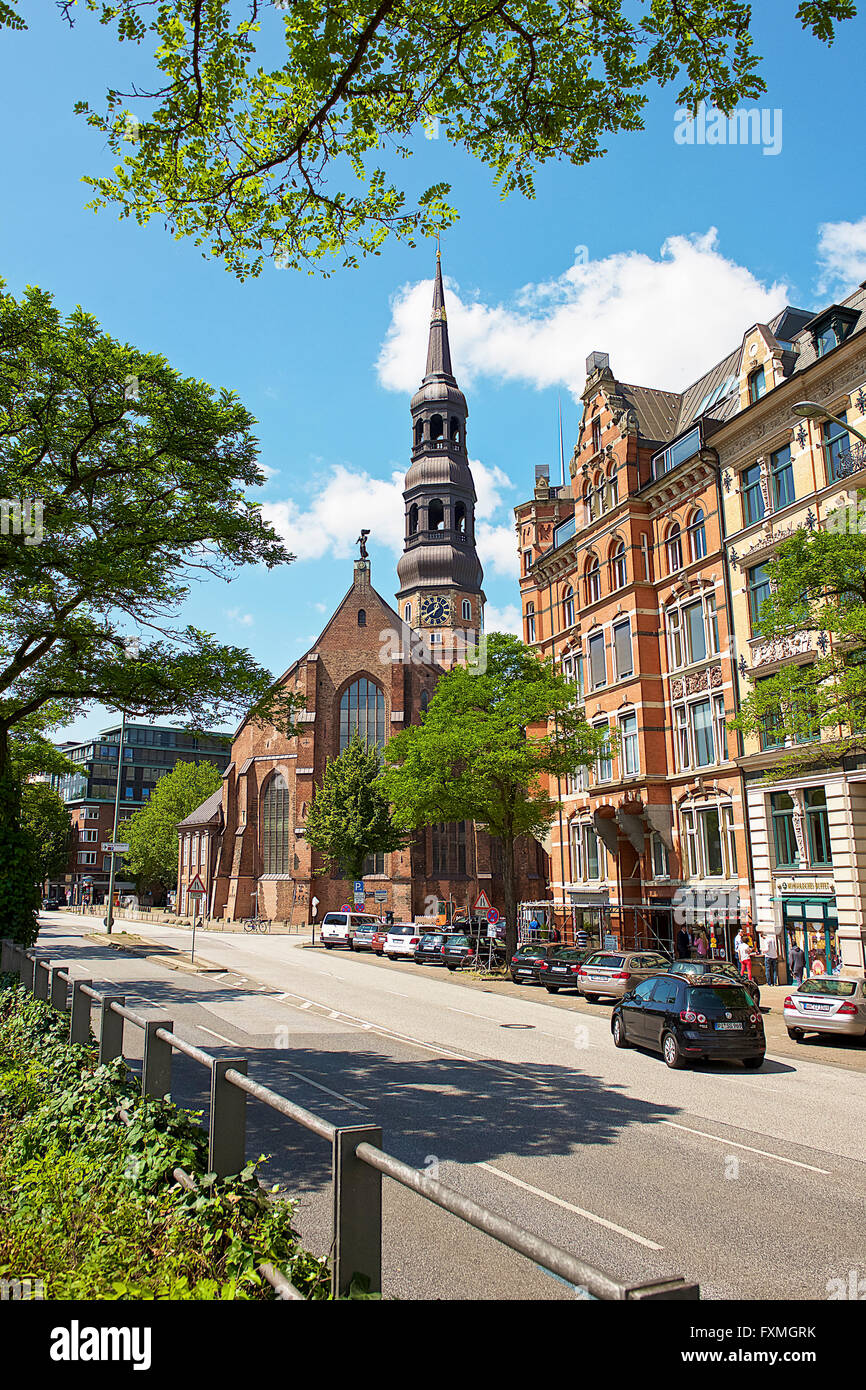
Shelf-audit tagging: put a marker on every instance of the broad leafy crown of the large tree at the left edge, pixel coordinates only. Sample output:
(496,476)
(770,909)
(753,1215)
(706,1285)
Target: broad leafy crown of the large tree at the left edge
(123,483)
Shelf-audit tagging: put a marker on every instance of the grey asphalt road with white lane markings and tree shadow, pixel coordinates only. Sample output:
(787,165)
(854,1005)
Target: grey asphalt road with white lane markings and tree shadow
(753,1184)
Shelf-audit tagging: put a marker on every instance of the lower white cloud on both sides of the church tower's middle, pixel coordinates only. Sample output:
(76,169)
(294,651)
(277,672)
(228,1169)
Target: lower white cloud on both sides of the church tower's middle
(348,498)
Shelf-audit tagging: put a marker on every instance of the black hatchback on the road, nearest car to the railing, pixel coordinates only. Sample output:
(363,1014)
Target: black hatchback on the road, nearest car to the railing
(686,1021)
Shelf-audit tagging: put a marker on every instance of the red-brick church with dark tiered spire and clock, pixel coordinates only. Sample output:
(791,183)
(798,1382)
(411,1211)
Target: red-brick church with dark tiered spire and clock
(372,672)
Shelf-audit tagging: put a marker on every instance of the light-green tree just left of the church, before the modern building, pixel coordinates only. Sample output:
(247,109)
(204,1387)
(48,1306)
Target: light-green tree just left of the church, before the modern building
(152,833)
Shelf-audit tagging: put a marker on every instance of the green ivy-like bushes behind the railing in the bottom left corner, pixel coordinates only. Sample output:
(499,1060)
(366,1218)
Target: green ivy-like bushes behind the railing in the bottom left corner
(90,1204)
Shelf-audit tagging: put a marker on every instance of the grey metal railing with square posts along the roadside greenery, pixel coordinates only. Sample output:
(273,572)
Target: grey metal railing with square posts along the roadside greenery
(359,1161)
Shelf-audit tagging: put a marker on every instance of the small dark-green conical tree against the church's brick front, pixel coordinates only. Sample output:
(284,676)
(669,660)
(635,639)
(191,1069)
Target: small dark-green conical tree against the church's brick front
(350,818)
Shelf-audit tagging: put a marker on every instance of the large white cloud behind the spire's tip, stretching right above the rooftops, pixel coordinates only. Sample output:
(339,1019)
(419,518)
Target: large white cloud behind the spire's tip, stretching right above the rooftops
(662,320)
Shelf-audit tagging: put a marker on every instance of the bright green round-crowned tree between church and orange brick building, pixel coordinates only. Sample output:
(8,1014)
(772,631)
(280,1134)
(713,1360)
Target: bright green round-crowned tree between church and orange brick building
(486,751)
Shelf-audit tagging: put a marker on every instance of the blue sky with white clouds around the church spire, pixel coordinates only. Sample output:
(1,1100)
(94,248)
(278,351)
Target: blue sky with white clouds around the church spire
(660,254)
